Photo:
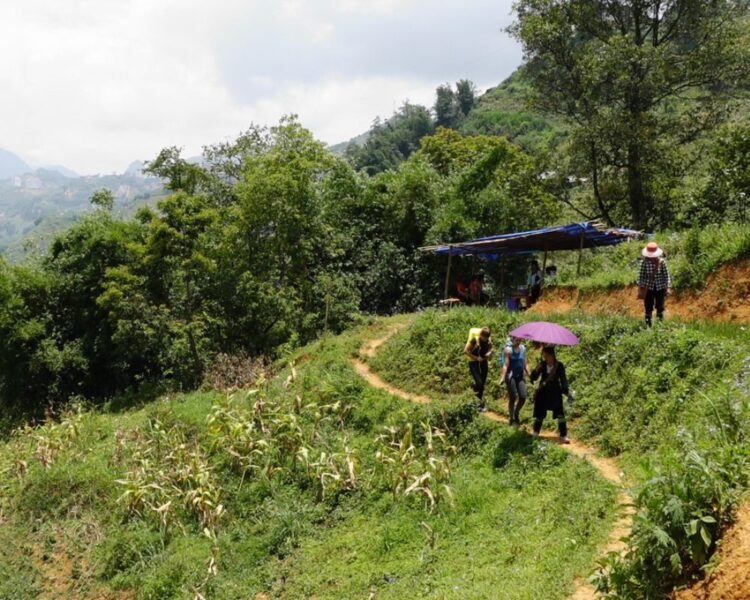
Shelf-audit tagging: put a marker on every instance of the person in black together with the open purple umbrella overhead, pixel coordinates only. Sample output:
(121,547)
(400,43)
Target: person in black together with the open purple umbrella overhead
(551,373)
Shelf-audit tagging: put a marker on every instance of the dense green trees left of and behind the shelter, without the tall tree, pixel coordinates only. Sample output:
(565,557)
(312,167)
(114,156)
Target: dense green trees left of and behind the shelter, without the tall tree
(270,242)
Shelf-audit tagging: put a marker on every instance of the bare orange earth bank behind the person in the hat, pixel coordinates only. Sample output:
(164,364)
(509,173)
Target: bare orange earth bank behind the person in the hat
(725,297)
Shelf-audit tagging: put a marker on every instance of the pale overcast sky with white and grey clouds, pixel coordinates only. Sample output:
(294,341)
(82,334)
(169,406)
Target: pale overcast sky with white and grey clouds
(95,84)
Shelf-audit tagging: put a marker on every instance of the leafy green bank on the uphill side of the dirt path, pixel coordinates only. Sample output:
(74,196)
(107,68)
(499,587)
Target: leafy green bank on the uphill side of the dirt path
(672,402)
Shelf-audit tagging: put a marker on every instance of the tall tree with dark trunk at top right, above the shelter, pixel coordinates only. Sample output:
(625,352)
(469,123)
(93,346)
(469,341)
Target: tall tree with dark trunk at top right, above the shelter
(630,74)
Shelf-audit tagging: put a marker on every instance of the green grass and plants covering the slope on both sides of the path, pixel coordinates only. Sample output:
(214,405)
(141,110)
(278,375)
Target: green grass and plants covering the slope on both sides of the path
(312,483)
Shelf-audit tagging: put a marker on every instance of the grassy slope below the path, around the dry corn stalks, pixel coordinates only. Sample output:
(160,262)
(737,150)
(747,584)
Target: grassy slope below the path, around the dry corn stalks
(518,506)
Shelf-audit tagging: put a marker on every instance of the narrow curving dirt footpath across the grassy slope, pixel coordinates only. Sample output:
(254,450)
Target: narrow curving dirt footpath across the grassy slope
(607,467)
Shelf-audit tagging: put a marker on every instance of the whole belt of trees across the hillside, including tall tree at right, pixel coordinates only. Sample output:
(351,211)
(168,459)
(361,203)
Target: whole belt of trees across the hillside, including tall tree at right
(272,239)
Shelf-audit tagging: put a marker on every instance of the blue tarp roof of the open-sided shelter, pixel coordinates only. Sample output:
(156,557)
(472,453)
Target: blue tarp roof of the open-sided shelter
(562,237)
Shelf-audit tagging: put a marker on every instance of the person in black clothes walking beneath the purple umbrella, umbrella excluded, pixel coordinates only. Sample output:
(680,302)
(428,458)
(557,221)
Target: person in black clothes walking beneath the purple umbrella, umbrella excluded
(548,396)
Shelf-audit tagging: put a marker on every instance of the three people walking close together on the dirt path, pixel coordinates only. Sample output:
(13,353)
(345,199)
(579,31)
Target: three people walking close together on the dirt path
(548,395)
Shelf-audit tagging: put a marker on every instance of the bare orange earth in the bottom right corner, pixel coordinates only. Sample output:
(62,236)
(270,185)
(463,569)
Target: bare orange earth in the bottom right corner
(730,579)
